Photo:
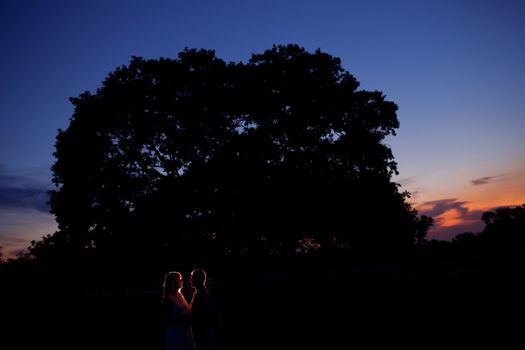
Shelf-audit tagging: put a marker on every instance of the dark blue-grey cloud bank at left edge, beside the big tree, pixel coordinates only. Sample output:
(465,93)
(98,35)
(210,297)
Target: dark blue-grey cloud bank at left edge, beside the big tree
(18,191)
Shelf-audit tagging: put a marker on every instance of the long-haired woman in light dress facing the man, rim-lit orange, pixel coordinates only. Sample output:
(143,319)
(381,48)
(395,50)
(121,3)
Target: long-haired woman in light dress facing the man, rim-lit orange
(176,313)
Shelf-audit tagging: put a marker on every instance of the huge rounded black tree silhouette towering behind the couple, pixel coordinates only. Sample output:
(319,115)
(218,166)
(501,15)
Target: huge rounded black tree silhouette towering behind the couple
(194,153)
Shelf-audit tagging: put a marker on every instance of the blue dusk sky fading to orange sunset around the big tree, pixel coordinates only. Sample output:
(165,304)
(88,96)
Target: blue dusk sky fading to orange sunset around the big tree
(455,69)
